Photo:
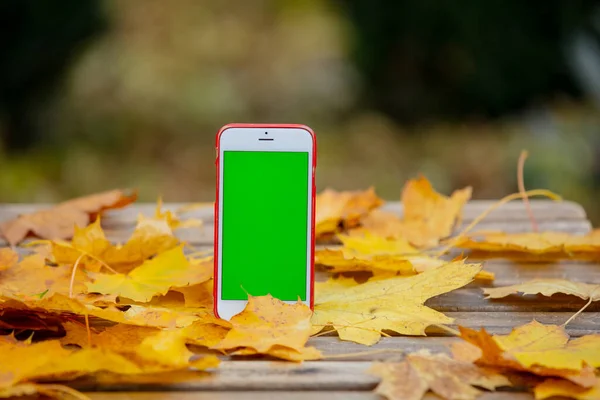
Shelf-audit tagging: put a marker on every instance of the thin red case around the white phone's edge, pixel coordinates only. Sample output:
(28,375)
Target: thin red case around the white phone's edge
(312,217)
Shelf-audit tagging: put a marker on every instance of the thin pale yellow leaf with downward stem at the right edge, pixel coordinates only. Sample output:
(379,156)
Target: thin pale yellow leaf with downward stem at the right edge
(547,287)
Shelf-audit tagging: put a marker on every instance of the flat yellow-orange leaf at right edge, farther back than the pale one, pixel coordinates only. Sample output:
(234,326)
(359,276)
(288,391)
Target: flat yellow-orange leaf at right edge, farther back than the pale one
(535,245)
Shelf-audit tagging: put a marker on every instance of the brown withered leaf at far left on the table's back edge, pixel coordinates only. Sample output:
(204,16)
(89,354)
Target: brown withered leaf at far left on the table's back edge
(58,222)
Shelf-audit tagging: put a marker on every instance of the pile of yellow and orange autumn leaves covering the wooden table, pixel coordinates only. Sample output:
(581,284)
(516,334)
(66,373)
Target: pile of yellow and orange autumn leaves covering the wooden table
(74,304)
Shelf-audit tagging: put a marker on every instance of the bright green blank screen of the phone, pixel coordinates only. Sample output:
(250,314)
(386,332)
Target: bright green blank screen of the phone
(265,224)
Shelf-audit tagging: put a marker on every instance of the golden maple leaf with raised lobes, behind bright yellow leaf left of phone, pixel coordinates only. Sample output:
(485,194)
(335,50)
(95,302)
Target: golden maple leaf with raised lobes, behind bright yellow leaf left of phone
(150,237)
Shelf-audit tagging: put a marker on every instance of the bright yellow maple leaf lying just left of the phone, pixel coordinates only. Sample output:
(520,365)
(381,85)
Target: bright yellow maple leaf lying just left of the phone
(156,276)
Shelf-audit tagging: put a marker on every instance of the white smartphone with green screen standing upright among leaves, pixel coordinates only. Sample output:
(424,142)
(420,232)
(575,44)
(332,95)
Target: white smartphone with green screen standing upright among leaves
(264,215)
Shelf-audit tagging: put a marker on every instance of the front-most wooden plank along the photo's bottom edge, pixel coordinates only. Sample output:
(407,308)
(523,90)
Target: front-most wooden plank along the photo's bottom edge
(280,395)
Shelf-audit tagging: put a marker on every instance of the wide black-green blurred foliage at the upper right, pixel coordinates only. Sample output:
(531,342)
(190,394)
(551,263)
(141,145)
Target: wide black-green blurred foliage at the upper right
(446,59)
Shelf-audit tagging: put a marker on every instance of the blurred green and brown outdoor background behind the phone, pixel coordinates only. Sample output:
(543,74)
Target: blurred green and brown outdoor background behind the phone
(97,94)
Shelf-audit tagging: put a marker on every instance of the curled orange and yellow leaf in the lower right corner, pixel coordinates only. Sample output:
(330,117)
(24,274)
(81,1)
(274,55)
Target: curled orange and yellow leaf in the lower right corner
(544,350)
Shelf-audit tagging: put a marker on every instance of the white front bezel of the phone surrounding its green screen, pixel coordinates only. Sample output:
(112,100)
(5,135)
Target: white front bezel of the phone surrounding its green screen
(247,139)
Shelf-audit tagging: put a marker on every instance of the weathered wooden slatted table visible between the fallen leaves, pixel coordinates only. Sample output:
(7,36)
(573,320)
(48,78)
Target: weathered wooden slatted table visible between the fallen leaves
(346,379)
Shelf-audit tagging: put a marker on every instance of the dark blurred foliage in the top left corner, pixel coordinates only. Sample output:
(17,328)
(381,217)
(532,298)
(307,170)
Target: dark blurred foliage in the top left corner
(37,45)
